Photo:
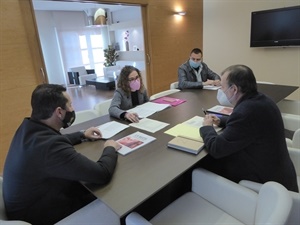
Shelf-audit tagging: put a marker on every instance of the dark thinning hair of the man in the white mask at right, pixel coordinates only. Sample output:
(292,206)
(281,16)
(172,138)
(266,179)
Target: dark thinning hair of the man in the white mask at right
(242,76)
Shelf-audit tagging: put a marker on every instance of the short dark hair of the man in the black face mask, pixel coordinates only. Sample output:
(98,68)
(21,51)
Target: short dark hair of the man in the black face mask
(45,99)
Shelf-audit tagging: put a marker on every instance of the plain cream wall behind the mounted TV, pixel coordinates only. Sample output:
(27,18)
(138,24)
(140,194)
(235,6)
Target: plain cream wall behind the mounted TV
(226,41)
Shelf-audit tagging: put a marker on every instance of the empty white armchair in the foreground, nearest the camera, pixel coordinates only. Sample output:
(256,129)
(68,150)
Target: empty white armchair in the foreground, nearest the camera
(216,200)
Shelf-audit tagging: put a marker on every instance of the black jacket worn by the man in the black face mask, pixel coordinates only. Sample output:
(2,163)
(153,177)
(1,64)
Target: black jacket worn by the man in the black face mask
(42,174)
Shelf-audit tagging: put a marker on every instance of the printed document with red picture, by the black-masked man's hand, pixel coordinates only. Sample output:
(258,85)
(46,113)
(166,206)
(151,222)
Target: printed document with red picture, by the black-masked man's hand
(134,141)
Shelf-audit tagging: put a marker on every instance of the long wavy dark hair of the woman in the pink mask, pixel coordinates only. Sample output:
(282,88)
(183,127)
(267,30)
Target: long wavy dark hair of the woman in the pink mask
(123,79)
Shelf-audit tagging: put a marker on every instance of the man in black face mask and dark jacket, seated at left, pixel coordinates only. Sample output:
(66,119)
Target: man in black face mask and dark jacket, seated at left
(42,169)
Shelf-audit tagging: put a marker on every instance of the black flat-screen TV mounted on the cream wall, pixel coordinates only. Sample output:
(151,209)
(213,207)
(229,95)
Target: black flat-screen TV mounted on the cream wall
(275,27)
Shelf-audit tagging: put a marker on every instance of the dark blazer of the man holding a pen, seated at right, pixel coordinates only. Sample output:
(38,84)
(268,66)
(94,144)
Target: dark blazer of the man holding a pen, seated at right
(252,145)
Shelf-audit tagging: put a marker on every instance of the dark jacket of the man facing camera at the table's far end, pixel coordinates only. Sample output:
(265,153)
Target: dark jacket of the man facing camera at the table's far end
(187,77)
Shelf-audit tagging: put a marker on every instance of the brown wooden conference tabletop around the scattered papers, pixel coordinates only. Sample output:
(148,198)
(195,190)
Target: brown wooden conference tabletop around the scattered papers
(144,172)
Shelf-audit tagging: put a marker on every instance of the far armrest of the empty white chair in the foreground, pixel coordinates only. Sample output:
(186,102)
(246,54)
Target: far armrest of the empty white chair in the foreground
(206,184)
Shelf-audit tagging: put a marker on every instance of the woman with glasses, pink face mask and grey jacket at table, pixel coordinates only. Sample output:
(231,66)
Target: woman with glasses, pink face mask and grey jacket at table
(130,92)
